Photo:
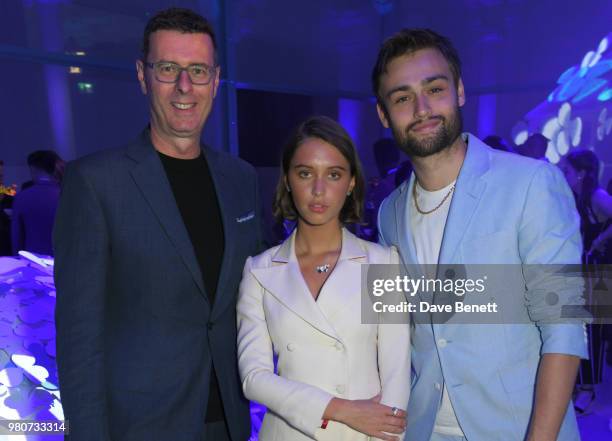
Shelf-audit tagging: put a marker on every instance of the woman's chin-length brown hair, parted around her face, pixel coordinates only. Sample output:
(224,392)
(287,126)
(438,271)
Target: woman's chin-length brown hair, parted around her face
(328,130)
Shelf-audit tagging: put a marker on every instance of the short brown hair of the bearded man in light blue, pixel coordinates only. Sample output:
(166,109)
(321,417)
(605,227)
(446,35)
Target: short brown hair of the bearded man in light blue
(408,41)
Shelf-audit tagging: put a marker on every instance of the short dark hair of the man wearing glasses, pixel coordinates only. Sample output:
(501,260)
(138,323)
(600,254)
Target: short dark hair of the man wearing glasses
(177,19)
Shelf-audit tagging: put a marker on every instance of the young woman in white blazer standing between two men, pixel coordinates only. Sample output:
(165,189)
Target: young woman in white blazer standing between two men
(337,378)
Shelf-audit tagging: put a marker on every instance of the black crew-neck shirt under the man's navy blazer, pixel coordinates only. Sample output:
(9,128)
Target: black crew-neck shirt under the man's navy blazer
(196,198)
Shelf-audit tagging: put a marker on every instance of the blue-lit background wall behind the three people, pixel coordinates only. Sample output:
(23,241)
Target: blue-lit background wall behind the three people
(513,52)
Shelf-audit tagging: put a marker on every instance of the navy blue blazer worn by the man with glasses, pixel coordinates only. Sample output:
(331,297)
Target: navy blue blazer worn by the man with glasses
(136,335)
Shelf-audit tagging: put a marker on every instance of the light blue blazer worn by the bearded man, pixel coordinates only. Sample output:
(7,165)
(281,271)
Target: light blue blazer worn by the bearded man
(506,209)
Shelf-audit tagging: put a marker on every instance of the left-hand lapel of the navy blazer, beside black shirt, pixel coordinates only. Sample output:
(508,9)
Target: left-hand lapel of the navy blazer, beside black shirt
(150,177)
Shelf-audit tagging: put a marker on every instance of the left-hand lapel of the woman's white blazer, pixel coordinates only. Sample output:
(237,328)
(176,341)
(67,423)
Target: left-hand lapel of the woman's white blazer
(285,282)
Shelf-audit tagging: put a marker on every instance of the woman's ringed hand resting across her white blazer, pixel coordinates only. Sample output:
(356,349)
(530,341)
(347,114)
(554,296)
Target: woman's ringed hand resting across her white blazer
(368,417)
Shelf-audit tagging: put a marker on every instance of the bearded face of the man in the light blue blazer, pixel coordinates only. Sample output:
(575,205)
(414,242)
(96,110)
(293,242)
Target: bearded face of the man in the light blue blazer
(421,103)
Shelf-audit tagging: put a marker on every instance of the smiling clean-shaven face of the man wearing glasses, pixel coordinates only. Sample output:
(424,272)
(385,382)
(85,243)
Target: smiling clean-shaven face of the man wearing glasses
(178,110)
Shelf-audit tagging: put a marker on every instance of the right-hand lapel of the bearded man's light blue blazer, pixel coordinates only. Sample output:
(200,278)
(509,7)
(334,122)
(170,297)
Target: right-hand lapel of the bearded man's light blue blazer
(468,191)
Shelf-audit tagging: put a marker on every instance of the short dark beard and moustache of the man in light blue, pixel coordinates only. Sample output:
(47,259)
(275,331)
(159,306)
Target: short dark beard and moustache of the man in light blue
(448,132)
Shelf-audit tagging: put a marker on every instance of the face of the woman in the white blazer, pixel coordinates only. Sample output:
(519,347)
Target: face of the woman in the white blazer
(319,177)
